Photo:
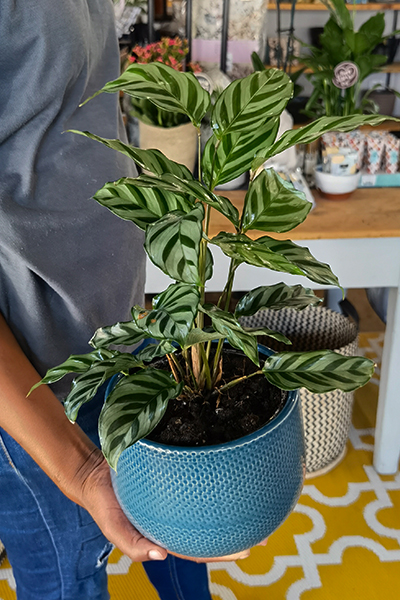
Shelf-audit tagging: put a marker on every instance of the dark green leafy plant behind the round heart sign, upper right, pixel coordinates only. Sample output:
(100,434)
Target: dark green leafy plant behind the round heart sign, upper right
(340,42)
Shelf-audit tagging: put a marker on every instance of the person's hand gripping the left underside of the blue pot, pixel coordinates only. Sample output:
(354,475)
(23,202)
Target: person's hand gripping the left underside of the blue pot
(99,499)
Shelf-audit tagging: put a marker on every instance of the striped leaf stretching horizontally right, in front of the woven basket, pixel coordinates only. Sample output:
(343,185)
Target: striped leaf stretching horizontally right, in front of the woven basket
(320,371)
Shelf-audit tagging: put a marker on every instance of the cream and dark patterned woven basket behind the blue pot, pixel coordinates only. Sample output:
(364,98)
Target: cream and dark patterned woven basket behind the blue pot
(327,417)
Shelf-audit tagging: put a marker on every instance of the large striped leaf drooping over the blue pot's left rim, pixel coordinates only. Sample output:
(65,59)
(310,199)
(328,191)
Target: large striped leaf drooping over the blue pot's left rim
(133,409)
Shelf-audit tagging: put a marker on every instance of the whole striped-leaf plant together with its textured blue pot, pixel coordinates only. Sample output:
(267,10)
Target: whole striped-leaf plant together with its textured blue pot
(209,500)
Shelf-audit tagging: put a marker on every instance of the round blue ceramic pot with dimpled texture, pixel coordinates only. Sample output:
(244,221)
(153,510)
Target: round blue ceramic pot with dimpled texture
(215,500)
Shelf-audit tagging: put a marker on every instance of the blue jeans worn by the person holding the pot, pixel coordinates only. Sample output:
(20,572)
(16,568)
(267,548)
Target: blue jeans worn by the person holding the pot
(56,549)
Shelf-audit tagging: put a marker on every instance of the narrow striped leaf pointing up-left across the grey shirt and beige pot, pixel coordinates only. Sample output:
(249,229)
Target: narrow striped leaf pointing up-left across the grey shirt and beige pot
(151,160)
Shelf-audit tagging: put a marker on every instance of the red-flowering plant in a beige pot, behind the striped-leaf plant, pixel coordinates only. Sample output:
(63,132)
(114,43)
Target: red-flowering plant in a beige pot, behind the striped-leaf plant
(170,132)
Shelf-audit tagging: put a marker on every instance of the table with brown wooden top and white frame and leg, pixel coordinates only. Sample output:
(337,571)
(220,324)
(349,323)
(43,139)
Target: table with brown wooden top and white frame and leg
(360,239)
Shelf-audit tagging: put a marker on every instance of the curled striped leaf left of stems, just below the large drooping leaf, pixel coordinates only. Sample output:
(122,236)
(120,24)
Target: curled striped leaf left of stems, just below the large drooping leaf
(173,313)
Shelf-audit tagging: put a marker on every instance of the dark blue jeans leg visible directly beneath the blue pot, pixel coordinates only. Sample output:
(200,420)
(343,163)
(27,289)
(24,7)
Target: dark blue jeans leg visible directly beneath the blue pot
(178,579)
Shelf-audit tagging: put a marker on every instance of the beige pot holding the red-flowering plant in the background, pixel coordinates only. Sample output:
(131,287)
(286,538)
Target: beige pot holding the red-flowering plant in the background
(177,143)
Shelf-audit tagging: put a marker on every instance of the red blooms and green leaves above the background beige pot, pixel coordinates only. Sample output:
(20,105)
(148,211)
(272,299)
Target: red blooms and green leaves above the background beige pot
(171,52)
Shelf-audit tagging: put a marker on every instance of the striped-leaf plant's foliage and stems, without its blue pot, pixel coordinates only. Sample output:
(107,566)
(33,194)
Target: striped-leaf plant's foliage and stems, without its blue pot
(174,208)
